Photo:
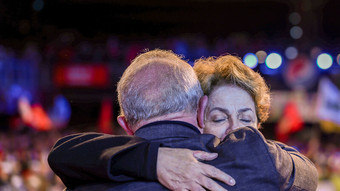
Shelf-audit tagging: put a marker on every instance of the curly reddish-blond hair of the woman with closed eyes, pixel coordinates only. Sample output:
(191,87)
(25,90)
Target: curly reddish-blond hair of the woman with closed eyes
(229,69)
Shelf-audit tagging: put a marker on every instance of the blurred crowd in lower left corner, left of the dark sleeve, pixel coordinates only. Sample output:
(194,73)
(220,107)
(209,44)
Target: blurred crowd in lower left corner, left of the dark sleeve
(23,161)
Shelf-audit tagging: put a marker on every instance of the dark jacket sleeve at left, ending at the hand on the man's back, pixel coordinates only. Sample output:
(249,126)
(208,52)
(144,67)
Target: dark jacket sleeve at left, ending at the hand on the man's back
(94,157)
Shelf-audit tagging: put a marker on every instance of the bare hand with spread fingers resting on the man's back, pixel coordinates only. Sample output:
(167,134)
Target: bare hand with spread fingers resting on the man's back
(179,169)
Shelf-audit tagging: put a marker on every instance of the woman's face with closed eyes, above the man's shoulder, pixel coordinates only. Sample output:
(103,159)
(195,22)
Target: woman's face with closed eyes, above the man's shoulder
(229,108)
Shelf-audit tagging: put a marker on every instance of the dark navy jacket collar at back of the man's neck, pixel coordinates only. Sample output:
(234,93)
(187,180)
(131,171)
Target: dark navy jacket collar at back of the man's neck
(167,129)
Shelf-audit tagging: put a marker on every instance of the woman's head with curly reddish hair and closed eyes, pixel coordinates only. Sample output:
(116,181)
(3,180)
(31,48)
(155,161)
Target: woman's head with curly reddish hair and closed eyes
(238,96)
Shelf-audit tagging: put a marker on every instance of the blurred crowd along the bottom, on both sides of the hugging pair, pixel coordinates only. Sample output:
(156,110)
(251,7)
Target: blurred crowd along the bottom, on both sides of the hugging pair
(23,160)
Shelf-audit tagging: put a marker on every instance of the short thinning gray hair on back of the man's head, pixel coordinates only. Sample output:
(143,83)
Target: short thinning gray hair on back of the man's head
(157,83)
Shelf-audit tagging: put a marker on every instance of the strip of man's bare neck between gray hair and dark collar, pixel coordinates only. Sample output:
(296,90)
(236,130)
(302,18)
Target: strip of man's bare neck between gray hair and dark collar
(179,116)
